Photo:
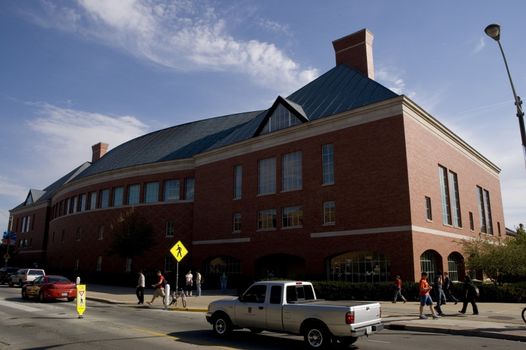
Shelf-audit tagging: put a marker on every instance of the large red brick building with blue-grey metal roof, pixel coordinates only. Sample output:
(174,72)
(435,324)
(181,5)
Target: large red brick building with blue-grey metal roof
(343,179)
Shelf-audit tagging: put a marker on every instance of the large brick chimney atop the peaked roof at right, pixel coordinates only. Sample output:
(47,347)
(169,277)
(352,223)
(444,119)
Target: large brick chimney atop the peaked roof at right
(356,50)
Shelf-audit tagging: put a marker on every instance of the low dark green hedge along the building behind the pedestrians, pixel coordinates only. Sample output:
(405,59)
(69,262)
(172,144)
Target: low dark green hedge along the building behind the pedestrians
(334,290)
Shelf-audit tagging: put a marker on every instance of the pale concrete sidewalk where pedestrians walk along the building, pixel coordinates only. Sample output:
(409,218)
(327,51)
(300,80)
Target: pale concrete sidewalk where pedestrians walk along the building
(496,320)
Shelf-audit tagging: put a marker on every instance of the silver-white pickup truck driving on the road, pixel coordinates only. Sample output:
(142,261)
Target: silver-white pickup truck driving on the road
(291,307)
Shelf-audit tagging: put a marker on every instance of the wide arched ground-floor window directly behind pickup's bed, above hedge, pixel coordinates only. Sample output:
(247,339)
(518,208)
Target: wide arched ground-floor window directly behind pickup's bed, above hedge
(360,267)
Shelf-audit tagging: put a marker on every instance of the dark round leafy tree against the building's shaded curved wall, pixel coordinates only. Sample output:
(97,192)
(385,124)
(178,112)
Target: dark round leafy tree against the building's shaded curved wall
(131,234)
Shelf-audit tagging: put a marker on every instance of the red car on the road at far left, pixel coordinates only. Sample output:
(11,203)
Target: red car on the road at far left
(50,287)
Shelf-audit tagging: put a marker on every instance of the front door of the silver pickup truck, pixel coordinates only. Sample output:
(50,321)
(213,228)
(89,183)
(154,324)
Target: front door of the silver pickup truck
(251,311)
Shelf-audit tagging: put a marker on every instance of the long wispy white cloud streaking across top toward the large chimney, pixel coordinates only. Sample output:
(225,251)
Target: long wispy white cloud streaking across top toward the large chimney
(181,35)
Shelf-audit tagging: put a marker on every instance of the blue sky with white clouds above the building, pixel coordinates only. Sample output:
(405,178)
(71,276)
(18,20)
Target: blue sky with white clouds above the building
(73,73)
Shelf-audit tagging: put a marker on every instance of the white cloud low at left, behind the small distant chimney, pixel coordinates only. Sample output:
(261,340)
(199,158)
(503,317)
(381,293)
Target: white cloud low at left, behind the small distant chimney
(65,136)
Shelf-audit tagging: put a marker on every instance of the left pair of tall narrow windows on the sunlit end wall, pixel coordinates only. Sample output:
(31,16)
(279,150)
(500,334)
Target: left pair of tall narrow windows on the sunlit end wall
(450,197)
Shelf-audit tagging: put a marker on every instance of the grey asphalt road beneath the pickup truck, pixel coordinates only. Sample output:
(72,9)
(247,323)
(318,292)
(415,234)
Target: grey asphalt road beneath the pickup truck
(32,325)
